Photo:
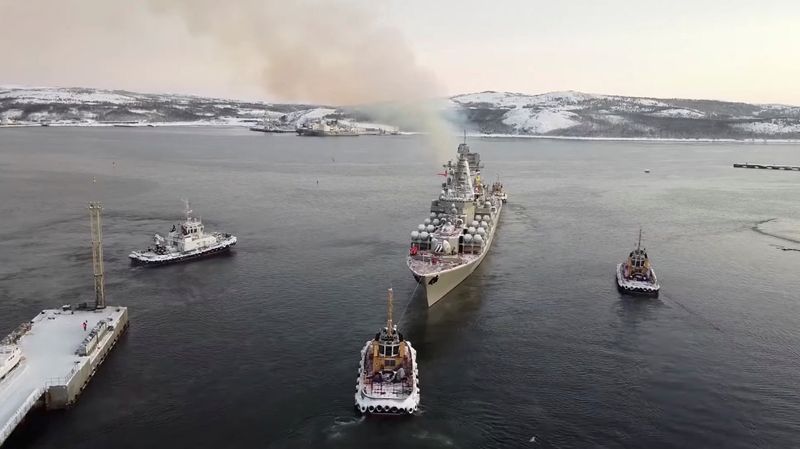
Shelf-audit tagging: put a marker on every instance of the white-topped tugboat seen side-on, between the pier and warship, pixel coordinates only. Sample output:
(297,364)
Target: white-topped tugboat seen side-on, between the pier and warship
(188,242)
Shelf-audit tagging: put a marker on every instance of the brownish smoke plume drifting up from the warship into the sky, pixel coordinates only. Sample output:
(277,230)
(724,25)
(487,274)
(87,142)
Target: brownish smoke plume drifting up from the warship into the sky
(321,52)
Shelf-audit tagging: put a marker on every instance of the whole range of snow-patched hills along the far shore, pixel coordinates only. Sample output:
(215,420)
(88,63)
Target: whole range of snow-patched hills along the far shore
(568,113)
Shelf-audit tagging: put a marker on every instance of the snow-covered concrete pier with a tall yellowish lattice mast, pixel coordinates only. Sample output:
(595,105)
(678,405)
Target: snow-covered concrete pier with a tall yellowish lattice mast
(49,360)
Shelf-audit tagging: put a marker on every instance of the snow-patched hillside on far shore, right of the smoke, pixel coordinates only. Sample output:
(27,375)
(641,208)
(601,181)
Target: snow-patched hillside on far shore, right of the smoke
(588,115)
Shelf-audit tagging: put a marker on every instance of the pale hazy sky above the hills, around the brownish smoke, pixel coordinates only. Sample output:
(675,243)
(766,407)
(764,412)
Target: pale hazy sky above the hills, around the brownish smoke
(728,50)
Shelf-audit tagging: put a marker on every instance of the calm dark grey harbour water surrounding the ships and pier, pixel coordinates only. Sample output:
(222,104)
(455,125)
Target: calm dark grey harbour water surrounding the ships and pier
(260,349)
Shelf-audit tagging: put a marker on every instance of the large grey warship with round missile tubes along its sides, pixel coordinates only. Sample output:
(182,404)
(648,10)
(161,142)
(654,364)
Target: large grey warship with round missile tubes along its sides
(448,246)
